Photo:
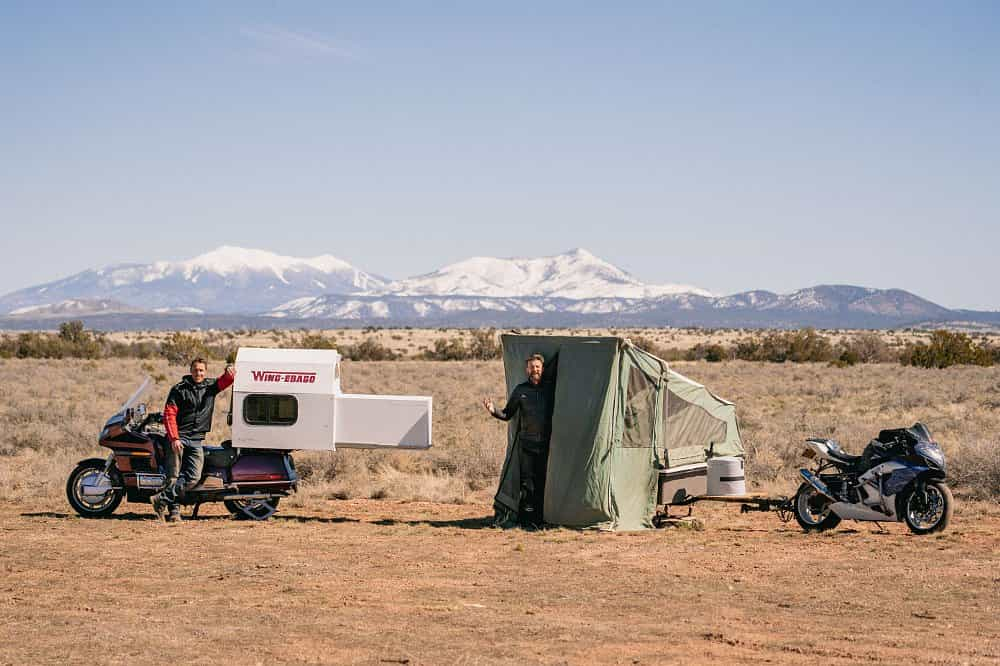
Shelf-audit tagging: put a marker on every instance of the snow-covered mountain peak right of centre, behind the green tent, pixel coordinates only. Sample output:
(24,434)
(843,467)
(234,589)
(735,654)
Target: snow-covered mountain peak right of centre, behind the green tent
(577,274)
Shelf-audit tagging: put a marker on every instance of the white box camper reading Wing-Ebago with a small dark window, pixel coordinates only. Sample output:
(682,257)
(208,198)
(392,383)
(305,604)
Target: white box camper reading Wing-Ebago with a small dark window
(291,399)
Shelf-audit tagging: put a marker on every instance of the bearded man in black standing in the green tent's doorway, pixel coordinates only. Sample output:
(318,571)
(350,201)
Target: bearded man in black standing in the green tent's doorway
(533,401)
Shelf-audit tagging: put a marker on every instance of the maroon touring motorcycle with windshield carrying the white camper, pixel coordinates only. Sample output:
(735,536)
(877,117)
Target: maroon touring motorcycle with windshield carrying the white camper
(250,482)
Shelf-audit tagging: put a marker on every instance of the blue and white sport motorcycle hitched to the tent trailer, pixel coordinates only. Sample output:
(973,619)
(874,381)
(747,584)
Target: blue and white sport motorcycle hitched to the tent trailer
(900,476)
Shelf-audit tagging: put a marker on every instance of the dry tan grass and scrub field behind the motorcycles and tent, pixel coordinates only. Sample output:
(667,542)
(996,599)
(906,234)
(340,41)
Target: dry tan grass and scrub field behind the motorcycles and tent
(51,411)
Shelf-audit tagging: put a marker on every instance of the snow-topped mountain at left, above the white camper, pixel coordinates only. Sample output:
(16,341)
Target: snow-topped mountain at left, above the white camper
(225,280)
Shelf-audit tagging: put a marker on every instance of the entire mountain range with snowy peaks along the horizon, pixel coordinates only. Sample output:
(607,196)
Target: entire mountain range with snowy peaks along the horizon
(237,286)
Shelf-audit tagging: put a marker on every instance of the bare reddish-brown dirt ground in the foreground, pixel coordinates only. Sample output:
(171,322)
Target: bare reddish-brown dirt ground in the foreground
(388,582)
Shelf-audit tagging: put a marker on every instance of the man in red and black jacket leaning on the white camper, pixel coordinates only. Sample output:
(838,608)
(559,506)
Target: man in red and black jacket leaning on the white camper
(187,416)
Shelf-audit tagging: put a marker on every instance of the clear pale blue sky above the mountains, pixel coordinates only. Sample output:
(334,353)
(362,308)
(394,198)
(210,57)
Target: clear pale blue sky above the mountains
(730,145)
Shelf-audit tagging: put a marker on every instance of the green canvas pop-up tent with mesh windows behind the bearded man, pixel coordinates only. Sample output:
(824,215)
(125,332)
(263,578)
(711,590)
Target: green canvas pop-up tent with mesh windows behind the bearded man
(621,415)
